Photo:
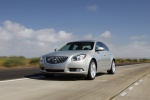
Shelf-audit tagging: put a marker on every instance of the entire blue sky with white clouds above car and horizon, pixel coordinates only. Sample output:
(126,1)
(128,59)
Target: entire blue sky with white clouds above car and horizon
(120,24)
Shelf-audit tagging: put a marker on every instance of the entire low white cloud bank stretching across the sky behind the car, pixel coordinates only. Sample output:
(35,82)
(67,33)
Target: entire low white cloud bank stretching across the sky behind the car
(16,39)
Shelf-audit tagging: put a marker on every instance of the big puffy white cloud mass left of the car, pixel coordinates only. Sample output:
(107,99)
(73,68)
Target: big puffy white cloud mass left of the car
(16,39)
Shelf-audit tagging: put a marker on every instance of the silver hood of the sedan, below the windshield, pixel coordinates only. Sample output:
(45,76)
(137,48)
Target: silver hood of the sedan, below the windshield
(69,53)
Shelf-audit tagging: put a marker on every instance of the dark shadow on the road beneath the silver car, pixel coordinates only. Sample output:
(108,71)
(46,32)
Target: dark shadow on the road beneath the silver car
(60,77)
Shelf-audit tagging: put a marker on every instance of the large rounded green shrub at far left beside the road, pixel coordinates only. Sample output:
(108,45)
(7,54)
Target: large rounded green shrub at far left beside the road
(13,62)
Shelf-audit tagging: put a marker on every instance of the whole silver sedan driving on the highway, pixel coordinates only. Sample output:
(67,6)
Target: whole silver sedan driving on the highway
(78,57)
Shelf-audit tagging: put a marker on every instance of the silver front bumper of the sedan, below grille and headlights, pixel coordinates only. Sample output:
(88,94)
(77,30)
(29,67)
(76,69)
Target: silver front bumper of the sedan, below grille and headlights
(68,67)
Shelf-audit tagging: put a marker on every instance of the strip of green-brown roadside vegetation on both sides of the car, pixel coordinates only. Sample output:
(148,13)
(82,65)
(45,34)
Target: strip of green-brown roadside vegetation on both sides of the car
(20,61)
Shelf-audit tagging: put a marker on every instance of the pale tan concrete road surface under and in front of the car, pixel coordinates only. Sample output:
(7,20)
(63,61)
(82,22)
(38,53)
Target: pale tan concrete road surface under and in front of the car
(130,82)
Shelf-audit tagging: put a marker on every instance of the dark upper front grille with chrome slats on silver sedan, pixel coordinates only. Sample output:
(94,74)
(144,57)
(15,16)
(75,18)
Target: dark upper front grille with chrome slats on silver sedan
(56,59)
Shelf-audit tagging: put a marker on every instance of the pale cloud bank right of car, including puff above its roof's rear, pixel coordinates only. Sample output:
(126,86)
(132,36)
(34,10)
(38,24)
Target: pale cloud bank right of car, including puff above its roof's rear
(134,49)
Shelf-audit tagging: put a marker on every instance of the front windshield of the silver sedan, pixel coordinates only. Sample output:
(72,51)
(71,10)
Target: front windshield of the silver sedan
(77,46)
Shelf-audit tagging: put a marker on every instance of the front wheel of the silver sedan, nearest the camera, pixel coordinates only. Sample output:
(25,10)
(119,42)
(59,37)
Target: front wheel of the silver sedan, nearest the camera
(92,70)
